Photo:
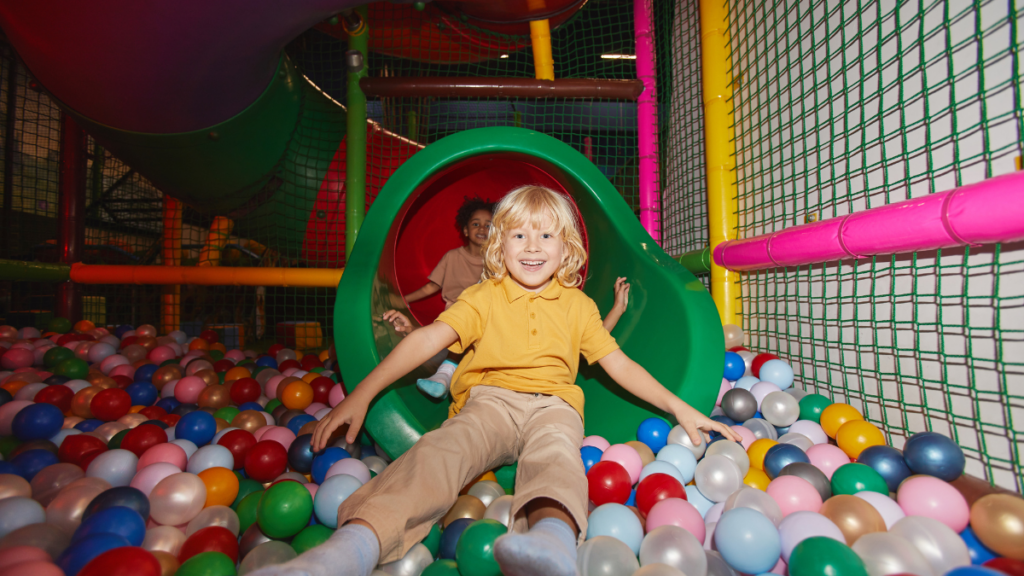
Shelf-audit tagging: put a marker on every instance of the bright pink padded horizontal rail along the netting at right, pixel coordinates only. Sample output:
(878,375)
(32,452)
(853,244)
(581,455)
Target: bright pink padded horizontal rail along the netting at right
(987,213)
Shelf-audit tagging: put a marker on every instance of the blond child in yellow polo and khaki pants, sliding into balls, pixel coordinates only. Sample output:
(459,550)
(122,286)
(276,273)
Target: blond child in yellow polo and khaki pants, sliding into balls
(523,331)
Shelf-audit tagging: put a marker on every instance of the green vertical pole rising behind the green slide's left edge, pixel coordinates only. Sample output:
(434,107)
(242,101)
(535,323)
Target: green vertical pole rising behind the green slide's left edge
(356,151)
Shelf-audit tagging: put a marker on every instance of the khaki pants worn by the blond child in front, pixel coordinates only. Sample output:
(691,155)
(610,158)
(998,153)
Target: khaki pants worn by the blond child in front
(497,427)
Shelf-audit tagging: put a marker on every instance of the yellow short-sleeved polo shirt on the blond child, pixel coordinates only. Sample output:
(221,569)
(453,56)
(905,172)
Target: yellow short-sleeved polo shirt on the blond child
(525,342)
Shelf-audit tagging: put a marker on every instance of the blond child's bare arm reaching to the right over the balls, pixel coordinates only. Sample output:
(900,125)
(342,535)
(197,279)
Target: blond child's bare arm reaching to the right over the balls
(641,384)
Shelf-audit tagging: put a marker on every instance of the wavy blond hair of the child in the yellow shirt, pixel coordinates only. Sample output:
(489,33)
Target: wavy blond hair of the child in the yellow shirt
(531,204)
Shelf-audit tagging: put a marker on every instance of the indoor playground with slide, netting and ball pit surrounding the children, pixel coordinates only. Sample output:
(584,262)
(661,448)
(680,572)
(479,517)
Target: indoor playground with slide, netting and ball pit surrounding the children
(820,207)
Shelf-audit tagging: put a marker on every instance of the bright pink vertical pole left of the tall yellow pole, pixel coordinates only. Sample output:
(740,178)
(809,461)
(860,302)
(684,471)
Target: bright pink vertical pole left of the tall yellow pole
(648,119)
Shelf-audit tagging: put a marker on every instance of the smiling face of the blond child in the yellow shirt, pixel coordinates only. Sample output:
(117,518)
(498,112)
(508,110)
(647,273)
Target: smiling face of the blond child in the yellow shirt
(533,256)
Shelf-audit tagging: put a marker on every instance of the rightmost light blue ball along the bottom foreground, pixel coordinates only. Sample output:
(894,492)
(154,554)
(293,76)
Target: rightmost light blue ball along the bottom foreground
(748,541)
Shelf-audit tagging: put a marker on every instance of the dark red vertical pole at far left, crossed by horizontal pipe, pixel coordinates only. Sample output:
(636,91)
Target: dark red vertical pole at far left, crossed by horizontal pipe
(71,213)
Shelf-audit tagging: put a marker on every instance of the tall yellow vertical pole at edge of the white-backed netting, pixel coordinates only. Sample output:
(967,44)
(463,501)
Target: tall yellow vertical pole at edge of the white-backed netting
(720,149)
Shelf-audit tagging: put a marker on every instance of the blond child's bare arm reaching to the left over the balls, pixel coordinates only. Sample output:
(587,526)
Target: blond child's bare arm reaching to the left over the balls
(414,351)
